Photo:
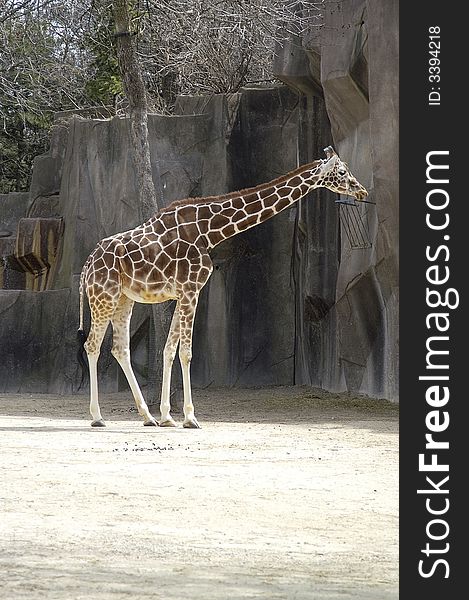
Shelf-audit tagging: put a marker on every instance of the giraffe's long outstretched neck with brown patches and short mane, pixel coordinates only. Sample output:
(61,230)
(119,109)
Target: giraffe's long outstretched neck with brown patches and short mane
(235,213)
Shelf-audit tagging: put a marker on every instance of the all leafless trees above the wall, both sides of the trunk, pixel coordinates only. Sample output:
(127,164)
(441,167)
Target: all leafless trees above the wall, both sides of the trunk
(48,57)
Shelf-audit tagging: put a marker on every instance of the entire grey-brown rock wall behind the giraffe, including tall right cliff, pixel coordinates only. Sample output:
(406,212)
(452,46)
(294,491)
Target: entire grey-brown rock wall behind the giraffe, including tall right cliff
(289,301)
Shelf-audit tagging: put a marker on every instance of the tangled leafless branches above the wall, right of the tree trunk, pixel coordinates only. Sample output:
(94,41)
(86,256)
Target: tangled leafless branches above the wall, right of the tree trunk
(215,46)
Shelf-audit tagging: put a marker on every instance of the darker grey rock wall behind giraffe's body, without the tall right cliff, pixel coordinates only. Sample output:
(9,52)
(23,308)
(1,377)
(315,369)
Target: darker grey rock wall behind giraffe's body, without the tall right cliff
(245,330)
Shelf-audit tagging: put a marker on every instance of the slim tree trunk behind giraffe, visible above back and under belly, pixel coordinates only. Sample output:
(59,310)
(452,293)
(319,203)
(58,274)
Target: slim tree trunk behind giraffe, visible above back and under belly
(148,190)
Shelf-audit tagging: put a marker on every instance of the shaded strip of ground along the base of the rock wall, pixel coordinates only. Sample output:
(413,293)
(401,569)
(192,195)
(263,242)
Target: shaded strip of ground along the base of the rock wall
(277,405)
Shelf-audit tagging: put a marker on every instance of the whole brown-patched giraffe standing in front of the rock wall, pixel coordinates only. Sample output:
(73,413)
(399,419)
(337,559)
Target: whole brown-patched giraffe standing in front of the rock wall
(168,258)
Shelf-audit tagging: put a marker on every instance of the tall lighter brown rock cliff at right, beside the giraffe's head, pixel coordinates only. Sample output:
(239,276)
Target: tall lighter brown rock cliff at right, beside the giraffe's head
(352,62)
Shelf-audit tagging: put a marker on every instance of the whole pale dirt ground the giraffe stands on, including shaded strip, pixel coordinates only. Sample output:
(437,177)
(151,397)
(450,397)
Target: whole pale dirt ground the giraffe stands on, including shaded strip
(285,493)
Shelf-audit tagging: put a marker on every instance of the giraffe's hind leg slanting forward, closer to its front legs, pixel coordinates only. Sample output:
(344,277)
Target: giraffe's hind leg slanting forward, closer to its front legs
(121,352)
